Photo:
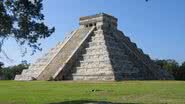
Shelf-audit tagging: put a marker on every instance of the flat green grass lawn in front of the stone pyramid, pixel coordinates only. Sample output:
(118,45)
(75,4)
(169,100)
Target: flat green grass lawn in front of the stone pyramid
(134,92)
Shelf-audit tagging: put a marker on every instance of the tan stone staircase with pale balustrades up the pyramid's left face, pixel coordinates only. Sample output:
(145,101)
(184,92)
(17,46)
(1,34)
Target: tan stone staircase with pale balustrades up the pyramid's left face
(59,61)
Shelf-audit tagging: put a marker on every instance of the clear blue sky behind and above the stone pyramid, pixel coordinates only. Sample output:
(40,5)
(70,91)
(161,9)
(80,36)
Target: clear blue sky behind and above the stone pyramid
(157,26)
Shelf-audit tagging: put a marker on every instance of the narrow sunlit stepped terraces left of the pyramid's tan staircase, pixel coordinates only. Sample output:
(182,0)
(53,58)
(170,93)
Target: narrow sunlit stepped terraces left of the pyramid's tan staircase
(36,68)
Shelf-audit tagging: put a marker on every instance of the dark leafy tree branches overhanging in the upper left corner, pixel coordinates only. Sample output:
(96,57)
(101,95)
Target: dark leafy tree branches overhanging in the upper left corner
(23,20)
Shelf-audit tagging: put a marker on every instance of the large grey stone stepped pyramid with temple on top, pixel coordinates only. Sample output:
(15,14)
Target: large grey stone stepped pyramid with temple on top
(97,50)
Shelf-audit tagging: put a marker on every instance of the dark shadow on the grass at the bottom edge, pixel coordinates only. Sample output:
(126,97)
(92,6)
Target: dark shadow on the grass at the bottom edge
(89,102)
